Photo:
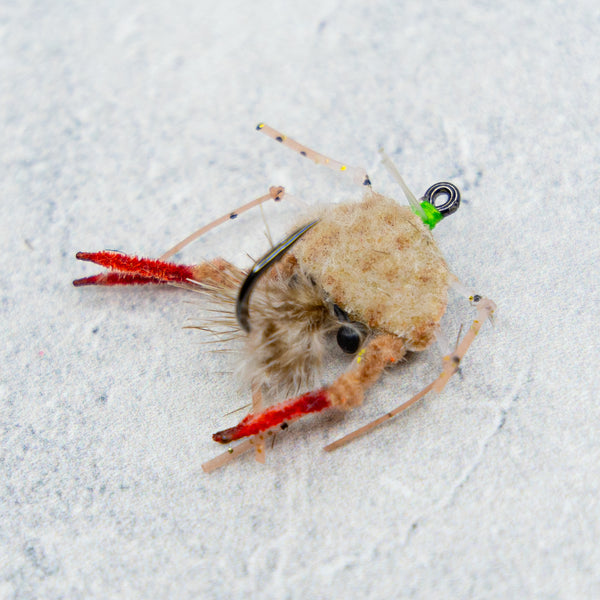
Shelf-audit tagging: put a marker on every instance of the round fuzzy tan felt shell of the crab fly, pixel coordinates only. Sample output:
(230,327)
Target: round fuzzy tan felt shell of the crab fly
(378,262)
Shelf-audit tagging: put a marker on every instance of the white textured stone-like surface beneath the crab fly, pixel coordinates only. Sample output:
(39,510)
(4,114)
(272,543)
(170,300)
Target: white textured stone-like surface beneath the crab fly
(127,125)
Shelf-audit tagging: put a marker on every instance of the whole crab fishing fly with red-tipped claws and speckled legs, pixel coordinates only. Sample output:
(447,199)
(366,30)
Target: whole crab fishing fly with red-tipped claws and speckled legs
(369,272)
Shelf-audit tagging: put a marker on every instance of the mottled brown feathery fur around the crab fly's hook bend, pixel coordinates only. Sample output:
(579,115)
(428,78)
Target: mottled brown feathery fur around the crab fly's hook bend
(290,317)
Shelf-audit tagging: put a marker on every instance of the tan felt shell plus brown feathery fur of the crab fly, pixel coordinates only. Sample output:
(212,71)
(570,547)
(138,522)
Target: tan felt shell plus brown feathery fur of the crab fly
(374,259)
